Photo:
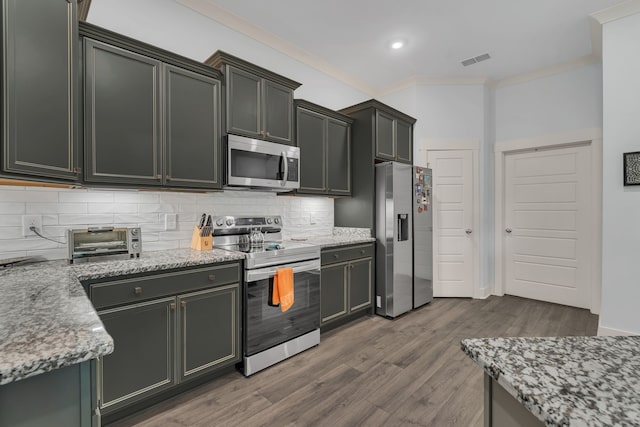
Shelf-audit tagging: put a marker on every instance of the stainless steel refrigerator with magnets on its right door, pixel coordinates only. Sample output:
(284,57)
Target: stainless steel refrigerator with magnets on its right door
(404,238)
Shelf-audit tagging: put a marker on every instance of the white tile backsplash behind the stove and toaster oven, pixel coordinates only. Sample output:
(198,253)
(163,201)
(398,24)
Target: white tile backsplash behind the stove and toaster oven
(77,208)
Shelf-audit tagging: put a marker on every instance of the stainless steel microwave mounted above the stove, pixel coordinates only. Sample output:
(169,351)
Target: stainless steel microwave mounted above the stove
(261,164)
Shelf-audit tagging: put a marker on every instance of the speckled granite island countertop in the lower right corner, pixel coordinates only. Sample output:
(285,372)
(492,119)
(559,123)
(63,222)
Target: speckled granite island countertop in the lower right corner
(566,381)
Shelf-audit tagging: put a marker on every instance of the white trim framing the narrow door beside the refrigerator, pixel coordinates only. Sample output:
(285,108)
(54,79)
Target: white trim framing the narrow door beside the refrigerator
(474,146)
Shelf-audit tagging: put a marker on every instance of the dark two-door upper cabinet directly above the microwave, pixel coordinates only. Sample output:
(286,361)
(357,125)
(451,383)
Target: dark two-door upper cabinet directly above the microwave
(259,103)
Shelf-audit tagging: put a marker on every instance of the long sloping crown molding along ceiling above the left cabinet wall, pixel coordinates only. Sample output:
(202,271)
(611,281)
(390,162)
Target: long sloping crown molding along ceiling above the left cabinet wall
(242,26)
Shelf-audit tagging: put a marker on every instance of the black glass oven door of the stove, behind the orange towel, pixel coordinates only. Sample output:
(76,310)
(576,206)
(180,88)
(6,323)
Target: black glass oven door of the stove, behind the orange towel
(266,326)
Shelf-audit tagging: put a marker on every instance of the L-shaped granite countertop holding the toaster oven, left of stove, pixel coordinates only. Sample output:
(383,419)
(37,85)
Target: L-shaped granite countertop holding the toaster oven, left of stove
(46,319)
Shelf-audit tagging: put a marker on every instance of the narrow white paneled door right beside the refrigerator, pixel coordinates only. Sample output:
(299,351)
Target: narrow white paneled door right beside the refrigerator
(453,234)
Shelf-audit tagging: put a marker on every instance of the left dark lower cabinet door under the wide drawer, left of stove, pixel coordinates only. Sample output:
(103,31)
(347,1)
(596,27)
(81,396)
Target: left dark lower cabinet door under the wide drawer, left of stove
(142,362)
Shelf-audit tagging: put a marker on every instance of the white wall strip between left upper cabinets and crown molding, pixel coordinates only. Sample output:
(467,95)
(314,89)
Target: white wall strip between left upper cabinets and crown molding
(171,26)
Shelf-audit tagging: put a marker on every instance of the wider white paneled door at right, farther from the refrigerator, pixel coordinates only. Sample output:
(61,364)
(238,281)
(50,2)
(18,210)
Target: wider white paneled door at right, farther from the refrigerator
(547,221)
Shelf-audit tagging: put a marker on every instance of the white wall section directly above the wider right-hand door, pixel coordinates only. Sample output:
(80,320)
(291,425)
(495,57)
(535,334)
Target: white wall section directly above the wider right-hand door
(560,102)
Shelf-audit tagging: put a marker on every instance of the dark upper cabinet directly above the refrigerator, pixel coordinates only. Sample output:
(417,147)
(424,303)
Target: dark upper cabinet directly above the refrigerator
(393,131)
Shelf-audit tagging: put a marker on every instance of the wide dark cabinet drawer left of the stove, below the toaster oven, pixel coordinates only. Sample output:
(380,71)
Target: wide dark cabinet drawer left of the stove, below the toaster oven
(129,290)
